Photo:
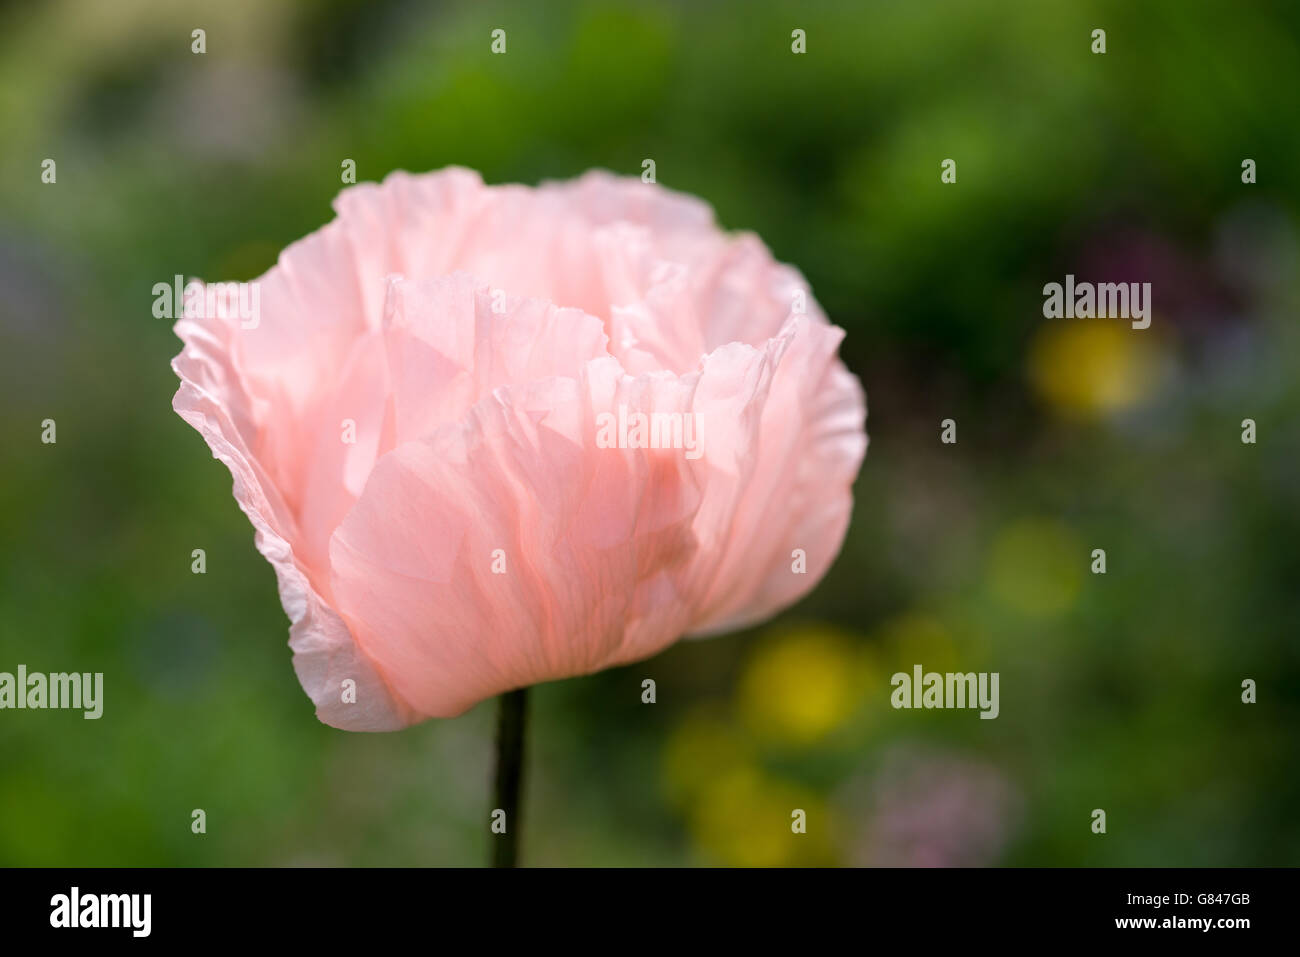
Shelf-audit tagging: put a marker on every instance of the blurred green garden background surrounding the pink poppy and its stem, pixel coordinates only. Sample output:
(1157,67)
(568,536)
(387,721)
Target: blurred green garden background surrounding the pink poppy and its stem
(1120,692)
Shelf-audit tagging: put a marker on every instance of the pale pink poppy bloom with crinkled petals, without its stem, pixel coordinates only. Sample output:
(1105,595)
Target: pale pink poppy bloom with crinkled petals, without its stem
(496,436)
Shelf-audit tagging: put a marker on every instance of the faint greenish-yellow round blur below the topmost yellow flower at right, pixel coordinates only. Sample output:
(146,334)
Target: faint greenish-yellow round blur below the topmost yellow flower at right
(1037,568)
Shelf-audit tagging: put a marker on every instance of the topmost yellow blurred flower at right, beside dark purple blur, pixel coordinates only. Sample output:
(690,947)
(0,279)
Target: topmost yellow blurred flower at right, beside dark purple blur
(1091,369)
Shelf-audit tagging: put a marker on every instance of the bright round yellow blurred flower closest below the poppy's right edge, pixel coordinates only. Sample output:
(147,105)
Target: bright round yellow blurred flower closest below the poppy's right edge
(800,686)
